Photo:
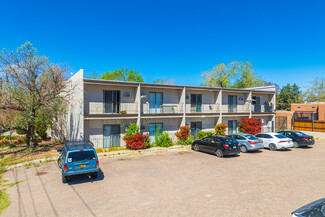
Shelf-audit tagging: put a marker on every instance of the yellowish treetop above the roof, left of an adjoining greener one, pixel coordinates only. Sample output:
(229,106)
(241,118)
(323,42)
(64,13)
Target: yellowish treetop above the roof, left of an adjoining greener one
(220,75)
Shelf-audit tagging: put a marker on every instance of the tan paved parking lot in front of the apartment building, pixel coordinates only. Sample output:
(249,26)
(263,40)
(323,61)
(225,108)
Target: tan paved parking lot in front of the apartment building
(185,183)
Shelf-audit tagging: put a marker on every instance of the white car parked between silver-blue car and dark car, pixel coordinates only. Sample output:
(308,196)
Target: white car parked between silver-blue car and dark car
(275,141)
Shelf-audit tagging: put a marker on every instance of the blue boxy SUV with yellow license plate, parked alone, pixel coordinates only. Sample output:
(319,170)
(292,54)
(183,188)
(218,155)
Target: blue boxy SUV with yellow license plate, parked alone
(78,158)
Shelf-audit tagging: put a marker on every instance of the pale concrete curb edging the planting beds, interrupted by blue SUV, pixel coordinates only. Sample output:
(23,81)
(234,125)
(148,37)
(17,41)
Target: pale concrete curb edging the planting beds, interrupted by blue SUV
(112,154)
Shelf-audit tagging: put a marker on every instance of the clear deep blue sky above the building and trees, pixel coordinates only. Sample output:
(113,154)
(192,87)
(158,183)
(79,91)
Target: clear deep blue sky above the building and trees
(284,40)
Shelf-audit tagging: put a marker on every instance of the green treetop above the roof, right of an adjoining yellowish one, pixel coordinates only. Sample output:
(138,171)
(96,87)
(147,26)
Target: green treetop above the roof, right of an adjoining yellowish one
(247,76)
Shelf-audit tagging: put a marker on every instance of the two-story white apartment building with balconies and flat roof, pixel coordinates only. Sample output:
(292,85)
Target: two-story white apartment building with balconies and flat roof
(100,110)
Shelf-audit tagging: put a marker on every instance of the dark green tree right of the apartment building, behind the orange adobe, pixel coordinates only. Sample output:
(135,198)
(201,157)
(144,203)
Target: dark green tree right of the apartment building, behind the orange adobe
(288,94)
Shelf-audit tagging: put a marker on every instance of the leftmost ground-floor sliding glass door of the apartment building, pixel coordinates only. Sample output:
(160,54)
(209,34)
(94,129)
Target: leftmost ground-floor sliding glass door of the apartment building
(111,136)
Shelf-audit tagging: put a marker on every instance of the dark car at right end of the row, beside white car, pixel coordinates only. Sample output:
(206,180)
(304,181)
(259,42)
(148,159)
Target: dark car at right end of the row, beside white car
(299,138)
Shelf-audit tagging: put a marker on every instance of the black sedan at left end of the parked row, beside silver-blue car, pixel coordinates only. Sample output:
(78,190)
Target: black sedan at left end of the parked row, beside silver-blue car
(218,145)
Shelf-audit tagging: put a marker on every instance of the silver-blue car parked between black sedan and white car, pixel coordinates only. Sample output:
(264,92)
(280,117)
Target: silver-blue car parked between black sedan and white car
(248,142)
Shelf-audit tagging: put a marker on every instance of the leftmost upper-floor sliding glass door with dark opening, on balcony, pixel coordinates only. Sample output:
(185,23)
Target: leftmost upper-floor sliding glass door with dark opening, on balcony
(112,101)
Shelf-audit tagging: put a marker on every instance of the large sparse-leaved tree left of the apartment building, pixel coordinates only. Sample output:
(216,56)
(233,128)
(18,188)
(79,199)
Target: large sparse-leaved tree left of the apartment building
(32,88)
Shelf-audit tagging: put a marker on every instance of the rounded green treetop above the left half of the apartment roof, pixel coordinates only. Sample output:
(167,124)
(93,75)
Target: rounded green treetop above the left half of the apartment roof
(123,74)
